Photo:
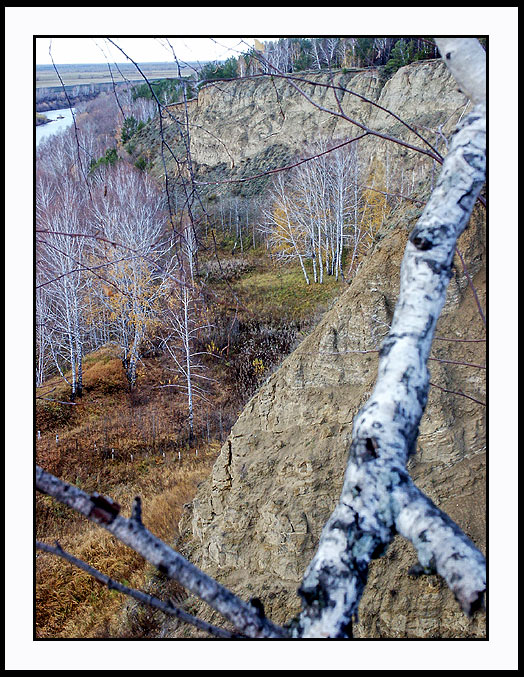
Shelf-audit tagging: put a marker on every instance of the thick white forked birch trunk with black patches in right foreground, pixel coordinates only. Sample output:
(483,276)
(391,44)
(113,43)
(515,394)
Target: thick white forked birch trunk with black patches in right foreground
(378,498)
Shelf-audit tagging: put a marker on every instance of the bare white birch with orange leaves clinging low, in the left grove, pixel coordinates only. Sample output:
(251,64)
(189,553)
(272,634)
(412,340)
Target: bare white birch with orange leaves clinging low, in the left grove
(128,210)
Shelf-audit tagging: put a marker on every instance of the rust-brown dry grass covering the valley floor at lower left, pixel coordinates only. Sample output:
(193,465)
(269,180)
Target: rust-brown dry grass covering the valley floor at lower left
(146,431)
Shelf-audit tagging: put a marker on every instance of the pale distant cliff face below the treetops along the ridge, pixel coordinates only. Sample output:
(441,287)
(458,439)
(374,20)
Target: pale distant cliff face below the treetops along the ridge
(239,129)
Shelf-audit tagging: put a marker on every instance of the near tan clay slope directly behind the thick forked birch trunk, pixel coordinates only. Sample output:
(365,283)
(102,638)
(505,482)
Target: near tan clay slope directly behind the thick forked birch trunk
(255,524)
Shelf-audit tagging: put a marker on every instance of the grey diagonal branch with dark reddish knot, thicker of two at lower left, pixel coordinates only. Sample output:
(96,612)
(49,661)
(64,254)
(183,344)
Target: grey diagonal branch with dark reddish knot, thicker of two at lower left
(245,617)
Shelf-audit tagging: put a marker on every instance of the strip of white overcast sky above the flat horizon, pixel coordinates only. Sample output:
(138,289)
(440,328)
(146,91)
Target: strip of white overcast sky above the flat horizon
(140,49)
